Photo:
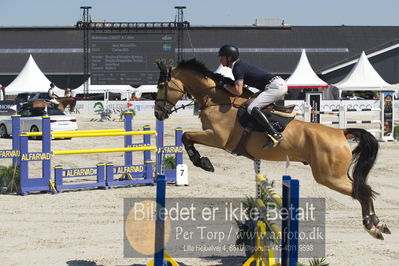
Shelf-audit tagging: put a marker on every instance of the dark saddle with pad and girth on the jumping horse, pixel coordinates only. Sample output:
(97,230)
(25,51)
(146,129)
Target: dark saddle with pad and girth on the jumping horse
(279,116)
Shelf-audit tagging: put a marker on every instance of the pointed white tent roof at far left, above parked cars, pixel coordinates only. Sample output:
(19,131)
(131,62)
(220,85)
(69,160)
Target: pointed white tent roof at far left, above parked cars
(30,79)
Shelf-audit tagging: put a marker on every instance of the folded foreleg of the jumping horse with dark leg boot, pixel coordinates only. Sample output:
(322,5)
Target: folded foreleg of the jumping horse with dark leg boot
(206,137)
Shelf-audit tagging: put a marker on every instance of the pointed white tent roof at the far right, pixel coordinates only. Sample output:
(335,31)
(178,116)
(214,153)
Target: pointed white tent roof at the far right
(363,77)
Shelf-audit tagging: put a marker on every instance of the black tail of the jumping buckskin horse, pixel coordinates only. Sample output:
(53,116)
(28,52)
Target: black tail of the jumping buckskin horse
(363,159)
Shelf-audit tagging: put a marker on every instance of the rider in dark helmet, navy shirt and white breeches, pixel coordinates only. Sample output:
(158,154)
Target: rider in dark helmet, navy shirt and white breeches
(273,87)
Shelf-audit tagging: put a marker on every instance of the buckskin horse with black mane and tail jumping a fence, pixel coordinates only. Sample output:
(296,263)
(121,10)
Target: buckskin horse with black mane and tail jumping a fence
(326,150)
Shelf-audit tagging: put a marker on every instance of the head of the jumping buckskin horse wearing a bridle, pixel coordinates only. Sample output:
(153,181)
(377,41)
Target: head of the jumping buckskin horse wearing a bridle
(170,91)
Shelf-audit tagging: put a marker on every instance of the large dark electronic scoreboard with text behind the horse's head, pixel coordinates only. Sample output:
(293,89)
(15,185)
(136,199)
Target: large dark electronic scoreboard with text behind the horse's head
(129,58)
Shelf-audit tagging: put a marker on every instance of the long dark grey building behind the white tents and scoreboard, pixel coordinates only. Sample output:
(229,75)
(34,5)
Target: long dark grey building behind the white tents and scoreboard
(332,50)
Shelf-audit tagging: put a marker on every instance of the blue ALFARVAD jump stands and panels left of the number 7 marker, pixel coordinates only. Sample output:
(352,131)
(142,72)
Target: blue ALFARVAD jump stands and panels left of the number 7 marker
(108,175)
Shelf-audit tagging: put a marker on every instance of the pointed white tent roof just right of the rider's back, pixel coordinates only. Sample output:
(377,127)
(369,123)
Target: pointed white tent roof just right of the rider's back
(304,76)
